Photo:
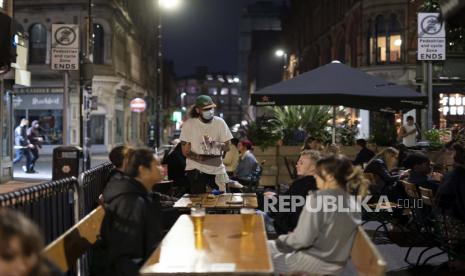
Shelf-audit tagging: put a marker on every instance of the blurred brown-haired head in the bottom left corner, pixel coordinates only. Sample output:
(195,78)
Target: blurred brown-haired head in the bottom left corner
(21,247)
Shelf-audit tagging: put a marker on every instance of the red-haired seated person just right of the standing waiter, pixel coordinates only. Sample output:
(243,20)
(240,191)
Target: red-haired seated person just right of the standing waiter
(247,162)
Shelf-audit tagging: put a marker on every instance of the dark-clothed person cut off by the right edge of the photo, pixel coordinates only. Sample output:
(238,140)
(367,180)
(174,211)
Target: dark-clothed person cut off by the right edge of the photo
(451,193)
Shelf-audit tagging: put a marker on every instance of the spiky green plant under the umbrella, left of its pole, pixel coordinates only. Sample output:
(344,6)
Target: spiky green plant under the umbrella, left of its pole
(294,122)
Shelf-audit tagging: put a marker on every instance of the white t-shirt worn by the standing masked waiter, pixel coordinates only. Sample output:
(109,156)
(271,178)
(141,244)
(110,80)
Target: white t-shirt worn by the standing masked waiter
(193,131)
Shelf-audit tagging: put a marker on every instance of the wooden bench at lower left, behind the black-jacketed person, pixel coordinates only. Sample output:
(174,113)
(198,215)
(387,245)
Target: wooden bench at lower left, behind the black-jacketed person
(66,250)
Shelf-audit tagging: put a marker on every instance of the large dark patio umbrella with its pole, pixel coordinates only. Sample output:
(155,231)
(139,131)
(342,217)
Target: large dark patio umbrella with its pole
(337,84)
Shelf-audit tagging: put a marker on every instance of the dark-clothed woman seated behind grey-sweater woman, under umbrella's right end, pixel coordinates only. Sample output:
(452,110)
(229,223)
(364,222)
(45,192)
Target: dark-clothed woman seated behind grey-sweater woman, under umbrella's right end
(381,166)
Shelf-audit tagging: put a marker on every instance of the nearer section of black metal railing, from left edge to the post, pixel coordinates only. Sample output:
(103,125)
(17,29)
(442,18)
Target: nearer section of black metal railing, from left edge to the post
(51,205)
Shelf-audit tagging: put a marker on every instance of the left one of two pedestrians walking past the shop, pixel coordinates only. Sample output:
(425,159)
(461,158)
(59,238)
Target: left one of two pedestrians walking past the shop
(23,146)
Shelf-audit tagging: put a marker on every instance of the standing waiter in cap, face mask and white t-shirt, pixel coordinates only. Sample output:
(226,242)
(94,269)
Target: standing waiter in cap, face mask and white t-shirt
(204,138)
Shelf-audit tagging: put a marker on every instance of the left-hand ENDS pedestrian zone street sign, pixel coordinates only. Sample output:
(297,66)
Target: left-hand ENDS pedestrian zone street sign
(65,47)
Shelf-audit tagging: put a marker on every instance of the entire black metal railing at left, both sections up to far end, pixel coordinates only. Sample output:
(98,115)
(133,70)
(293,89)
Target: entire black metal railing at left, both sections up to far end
(55,206)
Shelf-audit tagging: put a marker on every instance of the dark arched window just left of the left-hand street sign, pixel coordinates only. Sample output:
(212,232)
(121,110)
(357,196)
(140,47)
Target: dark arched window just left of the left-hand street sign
(38,44)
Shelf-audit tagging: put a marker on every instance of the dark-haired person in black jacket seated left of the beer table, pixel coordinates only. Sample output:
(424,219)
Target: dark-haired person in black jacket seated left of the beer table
(131,228)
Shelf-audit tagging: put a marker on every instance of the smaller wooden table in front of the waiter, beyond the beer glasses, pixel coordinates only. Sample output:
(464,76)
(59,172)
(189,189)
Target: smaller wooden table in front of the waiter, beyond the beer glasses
(219,202)
